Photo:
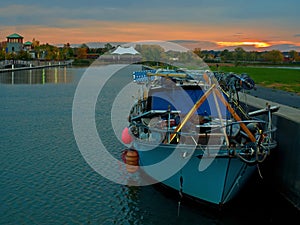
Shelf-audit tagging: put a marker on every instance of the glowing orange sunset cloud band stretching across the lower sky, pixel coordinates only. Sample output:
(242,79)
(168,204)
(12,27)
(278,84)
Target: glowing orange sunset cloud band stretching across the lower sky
(84,31)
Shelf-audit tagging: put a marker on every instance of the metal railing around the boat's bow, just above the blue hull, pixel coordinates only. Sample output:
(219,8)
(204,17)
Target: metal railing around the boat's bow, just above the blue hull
(213,143)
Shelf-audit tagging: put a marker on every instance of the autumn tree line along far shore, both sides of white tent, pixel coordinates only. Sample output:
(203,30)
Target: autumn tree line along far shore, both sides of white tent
(156,53)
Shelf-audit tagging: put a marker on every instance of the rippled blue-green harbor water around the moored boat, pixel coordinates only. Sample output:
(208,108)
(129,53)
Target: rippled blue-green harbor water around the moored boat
(45,179)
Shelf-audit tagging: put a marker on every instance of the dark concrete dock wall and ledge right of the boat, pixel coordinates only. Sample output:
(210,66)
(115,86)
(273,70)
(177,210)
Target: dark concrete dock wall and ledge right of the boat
(284,167)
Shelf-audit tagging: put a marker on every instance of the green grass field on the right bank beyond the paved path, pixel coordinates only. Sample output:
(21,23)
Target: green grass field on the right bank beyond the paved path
(287,79)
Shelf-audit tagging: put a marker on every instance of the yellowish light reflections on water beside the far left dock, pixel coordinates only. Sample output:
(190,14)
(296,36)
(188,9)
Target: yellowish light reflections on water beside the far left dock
(54,75)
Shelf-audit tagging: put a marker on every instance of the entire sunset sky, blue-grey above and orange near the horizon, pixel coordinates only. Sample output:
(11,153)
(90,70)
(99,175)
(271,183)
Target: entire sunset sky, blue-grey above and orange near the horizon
(207,24)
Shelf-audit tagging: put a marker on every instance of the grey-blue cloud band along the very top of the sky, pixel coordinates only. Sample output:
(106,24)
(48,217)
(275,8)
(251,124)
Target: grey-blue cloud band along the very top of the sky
(194,11)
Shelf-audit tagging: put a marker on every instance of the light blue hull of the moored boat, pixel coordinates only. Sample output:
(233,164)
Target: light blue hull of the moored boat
(218,183)
